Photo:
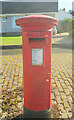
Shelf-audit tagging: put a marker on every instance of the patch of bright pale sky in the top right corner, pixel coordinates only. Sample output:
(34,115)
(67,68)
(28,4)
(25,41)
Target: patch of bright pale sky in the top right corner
(65,4)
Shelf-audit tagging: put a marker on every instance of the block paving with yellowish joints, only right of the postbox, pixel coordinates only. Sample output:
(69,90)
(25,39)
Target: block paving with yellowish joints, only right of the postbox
(62,81)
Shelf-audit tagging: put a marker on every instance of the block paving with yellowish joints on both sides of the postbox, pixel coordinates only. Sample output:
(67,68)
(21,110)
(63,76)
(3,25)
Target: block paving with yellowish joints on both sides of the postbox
(11,79)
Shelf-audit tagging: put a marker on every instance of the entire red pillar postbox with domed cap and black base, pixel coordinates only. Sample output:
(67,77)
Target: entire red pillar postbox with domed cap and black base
(37,48)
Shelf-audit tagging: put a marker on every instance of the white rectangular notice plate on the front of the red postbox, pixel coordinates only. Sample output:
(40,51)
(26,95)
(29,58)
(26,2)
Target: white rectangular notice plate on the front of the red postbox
(37,57)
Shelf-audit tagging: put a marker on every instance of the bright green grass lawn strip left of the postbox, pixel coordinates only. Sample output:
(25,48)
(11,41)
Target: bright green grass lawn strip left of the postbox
(11,40)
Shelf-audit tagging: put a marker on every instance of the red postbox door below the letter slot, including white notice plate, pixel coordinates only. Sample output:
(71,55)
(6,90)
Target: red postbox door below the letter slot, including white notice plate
(39,76)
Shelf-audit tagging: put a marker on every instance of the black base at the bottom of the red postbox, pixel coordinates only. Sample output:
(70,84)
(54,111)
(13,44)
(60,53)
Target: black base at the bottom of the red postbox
(39,114)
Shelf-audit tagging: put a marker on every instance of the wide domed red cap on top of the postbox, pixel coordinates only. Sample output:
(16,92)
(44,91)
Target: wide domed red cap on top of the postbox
(36,23)
